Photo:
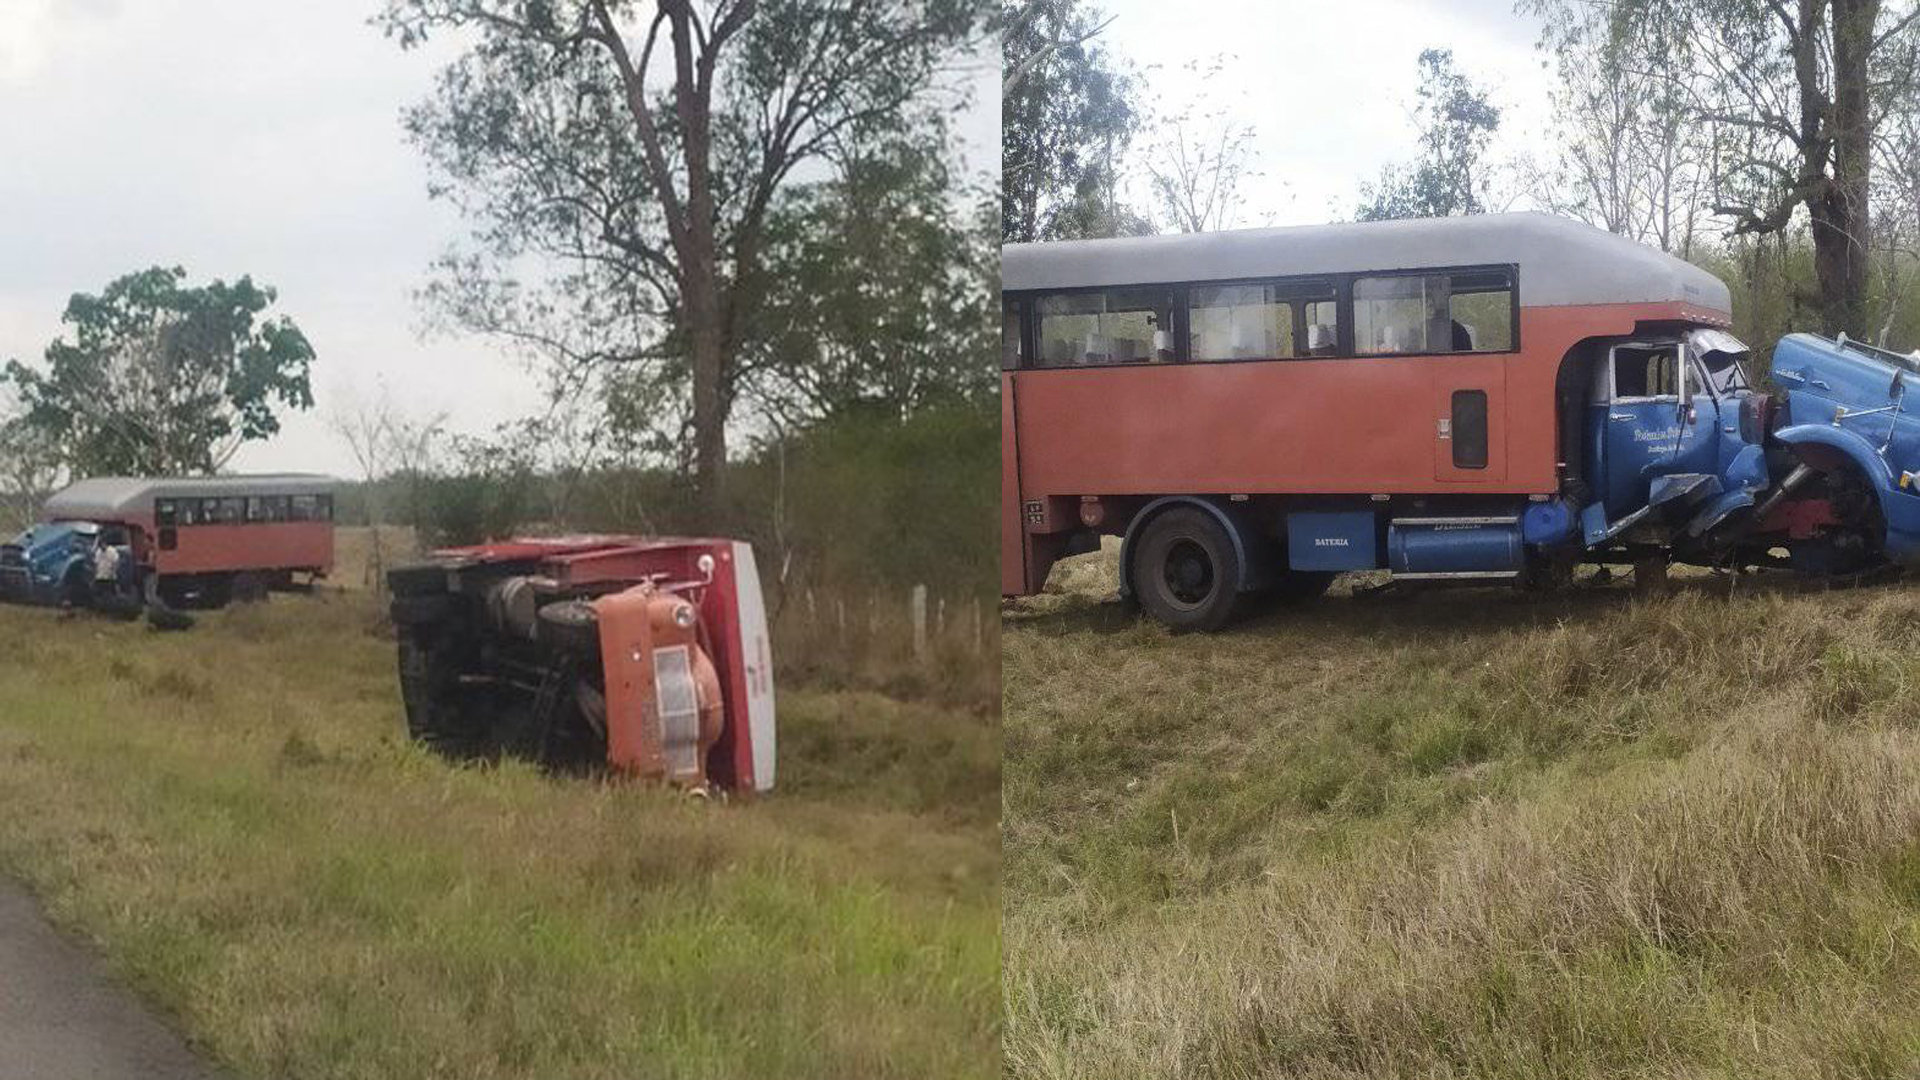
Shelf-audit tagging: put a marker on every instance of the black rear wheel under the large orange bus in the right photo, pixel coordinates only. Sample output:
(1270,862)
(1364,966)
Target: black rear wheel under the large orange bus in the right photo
(1186,572)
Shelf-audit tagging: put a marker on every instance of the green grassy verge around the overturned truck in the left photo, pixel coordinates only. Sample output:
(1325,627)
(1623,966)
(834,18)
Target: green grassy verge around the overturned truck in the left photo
(235,818)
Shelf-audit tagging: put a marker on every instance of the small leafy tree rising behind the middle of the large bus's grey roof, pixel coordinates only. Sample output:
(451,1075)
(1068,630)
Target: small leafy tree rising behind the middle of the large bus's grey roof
(1456,122)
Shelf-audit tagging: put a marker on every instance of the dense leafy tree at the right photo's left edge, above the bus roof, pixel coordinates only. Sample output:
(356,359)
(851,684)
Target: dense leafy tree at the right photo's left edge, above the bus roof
(1067,122)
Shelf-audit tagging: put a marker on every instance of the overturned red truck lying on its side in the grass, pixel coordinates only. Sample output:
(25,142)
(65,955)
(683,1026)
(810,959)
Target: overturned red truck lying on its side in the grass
(646,656)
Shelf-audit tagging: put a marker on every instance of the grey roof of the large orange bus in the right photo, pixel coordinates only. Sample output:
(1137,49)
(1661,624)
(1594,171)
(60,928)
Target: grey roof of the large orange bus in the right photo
(1562,260)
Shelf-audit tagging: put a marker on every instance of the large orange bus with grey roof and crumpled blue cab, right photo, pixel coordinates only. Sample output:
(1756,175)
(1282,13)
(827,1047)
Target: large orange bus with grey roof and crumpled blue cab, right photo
(1260,410)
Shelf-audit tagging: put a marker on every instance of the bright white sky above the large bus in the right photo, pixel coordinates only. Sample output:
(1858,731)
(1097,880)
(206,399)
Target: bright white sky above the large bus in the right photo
(1330,87)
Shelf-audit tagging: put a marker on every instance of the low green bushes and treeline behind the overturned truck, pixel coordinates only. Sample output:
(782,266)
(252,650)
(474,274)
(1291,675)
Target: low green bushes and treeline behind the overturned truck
(863,501)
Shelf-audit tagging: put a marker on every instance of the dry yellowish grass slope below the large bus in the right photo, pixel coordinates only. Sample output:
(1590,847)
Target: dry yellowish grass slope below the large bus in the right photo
(1466,835)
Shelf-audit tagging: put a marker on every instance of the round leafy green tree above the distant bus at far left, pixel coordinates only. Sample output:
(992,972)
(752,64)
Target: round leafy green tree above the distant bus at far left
(164,380)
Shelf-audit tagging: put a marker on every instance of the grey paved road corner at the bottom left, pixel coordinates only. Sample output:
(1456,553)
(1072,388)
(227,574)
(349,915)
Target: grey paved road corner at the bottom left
(64,1019)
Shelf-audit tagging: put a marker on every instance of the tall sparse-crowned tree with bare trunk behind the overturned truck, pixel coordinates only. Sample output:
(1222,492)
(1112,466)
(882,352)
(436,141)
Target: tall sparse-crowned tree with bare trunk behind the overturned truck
(654,195)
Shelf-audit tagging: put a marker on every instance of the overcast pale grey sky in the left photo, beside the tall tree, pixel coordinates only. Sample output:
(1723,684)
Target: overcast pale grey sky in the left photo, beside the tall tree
(249,137)
